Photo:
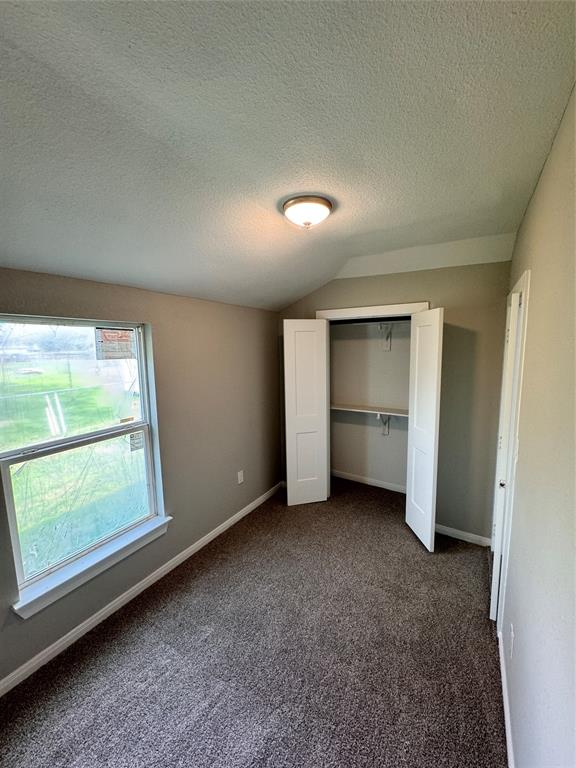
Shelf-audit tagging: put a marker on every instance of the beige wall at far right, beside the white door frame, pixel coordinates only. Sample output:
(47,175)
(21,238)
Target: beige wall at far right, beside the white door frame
(540,590)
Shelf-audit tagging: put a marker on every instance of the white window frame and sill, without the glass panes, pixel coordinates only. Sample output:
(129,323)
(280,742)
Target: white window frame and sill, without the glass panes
(38,591)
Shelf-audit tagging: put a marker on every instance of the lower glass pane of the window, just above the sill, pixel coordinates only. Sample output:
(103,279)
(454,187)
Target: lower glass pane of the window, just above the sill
(68,501)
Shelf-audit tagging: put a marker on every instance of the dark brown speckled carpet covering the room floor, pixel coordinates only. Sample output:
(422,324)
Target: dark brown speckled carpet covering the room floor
(321,636)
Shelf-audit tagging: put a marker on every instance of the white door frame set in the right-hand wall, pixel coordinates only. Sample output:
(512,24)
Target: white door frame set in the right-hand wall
(508,442)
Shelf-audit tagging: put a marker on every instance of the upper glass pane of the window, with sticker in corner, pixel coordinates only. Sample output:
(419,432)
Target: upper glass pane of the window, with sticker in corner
(62,380)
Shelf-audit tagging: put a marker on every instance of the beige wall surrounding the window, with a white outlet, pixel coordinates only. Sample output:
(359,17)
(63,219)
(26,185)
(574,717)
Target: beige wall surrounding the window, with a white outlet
(216,370)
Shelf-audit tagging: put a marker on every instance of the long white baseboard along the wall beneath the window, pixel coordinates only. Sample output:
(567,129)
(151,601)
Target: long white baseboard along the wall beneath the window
(57,647)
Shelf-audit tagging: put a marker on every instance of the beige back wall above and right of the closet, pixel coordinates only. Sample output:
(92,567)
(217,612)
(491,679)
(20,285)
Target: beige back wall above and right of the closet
(474,298)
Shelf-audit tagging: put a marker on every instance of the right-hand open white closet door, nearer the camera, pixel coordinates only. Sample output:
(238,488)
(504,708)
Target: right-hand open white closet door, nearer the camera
(423,420)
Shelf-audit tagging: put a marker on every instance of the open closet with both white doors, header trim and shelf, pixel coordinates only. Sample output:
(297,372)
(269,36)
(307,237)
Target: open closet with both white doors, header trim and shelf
(362,396)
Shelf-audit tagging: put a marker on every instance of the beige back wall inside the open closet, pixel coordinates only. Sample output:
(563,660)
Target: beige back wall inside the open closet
(370,366)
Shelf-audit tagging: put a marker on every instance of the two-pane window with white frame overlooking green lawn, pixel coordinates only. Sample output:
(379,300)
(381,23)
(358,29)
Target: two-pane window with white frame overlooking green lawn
(76,453)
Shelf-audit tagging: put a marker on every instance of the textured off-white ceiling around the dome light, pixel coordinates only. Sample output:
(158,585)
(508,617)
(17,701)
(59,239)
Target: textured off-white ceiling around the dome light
(150,143)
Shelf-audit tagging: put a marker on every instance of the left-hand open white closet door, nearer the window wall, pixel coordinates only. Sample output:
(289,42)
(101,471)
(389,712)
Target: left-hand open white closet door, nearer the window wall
(306,386)
